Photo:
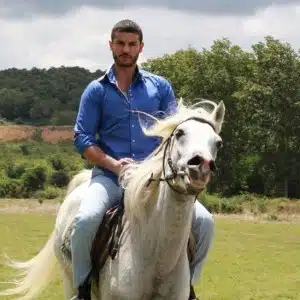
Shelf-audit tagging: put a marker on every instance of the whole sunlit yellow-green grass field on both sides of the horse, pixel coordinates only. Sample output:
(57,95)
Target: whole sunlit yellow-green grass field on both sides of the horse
(250,260)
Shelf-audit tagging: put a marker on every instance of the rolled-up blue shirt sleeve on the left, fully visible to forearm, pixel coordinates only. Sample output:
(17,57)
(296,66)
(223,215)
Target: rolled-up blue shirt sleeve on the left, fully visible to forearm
(88,117)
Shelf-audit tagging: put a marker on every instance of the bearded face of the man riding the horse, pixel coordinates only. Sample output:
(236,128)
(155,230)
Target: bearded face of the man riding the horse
(126,48)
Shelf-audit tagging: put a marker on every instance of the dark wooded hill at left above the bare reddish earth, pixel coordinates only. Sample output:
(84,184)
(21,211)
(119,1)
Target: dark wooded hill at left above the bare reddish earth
(42,96)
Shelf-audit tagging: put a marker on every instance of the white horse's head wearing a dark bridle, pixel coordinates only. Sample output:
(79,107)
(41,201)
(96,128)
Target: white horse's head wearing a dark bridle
(191,150)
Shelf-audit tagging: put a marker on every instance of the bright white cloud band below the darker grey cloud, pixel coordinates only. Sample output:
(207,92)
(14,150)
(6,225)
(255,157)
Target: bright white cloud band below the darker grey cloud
(81,36)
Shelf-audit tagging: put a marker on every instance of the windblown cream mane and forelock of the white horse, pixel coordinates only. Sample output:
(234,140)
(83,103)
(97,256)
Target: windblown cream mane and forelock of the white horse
(135,177)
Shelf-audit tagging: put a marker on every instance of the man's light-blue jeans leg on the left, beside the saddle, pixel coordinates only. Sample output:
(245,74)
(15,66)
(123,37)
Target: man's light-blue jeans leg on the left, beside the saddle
(102,193)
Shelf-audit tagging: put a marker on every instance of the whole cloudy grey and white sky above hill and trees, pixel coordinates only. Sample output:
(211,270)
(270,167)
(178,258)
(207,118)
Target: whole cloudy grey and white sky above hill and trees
(44,34)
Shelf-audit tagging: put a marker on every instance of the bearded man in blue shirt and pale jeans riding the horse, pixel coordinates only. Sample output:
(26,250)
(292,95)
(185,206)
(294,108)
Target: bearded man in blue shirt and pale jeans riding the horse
(107,109)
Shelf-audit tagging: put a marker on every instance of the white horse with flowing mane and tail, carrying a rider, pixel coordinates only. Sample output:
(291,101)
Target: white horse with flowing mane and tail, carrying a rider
(152,261)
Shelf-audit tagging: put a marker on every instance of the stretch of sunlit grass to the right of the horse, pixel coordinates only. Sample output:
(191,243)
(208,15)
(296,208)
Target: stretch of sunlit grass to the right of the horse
(253,261)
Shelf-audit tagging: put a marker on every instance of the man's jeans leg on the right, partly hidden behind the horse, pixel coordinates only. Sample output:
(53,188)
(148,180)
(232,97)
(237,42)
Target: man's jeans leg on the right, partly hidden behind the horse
(203,229)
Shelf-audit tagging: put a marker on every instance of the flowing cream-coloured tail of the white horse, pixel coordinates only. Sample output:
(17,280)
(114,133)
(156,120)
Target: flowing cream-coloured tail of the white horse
(35,274)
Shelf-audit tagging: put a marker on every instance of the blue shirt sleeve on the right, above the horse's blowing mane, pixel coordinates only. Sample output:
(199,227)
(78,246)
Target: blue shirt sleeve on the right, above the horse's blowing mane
(168,104)
